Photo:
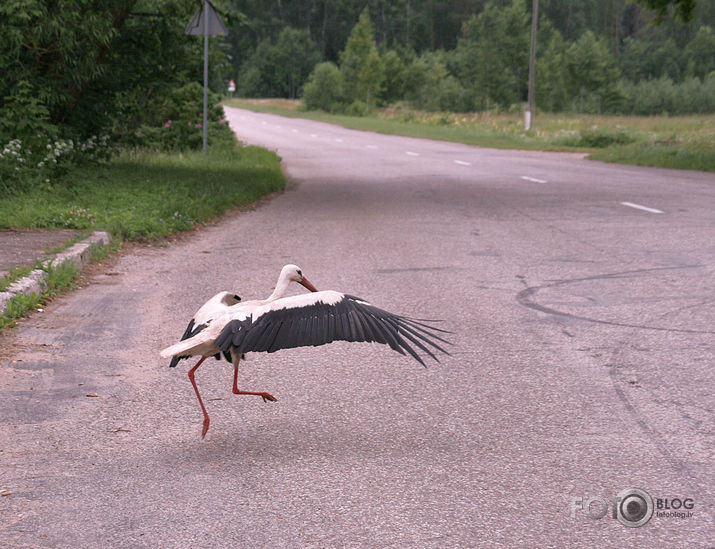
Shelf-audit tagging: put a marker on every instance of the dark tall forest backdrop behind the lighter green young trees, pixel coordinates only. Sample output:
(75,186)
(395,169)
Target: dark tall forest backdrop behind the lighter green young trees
(437,24)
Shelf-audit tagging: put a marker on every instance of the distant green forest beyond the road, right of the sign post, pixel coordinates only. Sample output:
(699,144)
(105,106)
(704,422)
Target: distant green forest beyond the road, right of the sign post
(592,56)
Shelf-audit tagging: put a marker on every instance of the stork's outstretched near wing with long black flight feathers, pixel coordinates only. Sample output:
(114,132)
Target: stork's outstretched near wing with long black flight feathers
(350,319)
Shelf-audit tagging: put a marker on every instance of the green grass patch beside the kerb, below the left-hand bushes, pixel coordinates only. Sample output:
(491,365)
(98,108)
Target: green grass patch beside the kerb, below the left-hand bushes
(143,195)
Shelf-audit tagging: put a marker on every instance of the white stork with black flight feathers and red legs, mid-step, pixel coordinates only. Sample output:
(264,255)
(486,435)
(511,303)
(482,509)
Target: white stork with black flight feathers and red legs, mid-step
(313,319)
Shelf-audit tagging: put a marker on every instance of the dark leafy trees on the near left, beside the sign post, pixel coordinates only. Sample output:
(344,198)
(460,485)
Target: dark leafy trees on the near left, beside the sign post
(77,68)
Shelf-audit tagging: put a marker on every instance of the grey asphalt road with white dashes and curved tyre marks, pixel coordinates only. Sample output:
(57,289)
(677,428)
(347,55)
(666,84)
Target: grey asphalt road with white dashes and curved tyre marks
(582,364)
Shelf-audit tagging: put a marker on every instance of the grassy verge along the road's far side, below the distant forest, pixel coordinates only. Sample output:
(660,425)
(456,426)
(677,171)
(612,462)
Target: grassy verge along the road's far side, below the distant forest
(682,142)
